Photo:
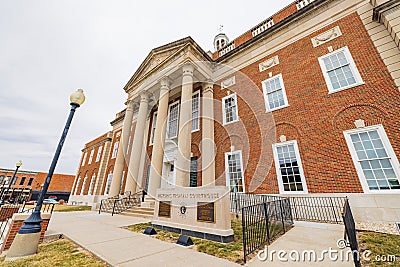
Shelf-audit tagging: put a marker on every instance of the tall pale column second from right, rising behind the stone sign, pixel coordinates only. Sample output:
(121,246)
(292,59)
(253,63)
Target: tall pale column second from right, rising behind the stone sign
(185,128)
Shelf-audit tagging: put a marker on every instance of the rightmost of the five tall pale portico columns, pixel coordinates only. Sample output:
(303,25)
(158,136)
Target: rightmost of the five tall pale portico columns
(207,143)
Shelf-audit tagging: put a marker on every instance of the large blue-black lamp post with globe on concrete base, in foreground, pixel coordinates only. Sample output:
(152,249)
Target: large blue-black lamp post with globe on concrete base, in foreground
(27,239)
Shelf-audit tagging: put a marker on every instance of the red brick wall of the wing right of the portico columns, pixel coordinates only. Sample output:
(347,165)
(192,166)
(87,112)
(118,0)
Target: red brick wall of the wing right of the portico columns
(315,118)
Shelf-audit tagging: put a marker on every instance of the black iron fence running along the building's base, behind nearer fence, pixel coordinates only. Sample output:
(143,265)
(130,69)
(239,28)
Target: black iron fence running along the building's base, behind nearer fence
(303,208)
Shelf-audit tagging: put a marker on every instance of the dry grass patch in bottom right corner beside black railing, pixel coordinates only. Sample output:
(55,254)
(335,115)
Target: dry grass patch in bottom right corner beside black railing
(382,247)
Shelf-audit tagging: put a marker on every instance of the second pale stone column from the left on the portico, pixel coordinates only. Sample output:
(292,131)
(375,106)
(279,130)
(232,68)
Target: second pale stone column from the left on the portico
(134,163)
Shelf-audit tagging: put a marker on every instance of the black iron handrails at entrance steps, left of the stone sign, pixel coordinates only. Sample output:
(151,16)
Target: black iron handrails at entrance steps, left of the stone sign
(117,204)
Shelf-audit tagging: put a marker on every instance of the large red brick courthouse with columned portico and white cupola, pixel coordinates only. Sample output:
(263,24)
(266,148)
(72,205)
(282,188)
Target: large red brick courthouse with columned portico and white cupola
(306,102)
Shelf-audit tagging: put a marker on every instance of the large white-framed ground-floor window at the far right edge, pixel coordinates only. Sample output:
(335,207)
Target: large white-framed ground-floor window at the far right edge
(374,158)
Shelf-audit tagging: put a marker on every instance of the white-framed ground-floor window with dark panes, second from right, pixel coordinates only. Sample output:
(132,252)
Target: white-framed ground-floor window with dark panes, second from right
(289,168)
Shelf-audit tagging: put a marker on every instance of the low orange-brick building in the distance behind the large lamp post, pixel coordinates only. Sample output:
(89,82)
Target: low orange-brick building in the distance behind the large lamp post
(27,184)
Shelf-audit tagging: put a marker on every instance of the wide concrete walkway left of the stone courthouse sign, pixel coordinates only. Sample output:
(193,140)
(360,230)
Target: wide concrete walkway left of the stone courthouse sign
(101,234)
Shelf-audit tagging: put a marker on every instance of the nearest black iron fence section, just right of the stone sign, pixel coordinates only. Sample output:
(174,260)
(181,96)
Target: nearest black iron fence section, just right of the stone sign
(264,222)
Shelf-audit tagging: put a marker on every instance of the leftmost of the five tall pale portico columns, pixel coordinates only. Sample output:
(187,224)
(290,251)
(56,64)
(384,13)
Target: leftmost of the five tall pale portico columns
(120,160)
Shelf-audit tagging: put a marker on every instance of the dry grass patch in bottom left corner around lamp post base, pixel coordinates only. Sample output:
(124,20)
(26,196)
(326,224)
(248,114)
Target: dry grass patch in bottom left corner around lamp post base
(58,253)
